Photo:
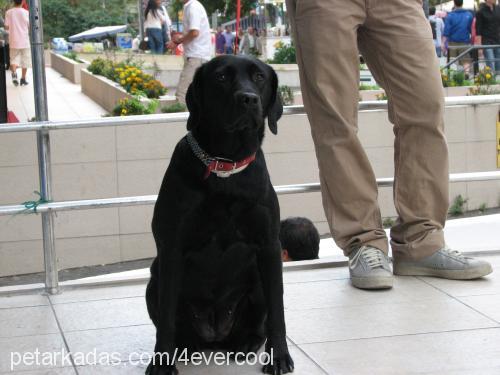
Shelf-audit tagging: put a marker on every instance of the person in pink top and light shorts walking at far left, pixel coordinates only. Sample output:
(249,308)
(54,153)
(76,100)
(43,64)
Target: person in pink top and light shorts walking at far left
(17,23)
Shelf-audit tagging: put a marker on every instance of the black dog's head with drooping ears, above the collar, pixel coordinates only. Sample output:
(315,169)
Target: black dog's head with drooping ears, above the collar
(231,94)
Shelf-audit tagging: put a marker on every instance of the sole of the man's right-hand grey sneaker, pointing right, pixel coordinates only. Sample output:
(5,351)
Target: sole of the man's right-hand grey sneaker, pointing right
(470,274)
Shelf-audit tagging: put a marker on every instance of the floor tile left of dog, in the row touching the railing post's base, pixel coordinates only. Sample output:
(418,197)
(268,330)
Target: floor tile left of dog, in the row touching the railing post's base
(99,293)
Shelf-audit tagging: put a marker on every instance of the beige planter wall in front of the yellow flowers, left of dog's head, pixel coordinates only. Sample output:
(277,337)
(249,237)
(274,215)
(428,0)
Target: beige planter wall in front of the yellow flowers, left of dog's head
(107,93)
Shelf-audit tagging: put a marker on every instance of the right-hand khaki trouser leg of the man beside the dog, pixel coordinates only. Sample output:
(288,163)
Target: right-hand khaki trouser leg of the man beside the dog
(401,54)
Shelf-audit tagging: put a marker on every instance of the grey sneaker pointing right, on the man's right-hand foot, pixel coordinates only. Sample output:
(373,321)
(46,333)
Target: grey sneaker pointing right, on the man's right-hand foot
(445,263)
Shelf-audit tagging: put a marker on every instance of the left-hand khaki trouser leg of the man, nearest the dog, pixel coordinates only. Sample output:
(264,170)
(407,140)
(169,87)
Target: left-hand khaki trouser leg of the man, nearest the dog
(329,79)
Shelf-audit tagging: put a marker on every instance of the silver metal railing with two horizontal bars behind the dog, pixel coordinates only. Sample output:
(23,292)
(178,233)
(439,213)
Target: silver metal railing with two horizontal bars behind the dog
(48,209)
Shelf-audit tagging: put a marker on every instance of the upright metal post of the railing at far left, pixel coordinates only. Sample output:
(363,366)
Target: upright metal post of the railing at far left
(43,144)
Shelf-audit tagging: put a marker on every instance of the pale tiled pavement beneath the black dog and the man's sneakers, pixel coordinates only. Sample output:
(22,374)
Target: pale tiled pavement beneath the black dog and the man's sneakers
(423,325)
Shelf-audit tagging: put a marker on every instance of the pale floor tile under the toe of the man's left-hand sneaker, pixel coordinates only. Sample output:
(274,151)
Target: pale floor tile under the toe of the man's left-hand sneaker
(337,293)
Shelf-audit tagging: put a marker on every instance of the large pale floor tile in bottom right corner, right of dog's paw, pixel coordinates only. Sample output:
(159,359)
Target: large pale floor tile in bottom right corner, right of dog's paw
(465,353)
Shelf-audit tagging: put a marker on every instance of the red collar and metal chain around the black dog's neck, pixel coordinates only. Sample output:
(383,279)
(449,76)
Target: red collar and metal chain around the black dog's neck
(221,167)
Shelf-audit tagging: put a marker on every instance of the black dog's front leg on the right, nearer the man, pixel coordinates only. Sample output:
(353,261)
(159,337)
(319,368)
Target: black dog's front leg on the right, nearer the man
(270,268)
